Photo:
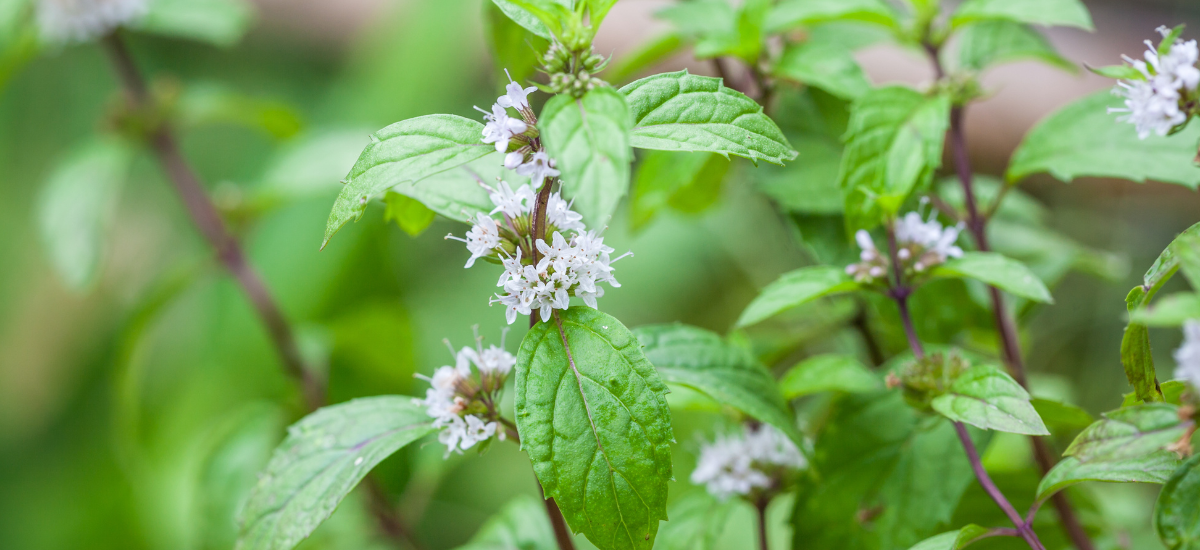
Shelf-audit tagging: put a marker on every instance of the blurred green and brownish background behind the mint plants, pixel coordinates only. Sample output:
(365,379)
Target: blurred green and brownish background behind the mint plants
(135,414)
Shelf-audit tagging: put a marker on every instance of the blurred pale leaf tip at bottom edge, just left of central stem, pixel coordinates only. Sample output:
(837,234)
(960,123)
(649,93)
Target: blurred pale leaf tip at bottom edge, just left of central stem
(521,525)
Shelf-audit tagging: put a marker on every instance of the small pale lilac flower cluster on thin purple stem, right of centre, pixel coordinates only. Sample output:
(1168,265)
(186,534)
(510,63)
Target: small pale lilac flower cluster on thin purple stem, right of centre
(921,244)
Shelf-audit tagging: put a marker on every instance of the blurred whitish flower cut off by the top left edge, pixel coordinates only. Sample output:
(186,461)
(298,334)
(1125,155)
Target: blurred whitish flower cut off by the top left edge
(81,21)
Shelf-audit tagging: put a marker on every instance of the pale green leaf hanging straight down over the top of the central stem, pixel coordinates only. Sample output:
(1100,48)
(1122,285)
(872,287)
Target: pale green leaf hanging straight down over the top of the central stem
(590,140)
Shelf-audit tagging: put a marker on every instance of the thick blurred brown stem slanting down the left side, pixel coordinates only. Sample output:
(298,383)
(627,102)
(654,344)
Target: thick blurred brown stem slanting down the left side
(208,220)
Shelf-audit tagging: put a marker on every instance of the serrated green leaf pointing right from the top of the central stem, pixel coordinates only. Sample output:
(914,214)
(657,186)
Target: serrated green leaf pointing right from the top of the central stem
(686,112)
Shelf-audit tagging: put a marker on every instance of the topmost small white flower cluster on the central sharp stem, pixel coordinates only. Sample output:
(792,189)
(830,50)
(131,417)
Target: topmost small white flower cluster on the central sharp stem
(518,137)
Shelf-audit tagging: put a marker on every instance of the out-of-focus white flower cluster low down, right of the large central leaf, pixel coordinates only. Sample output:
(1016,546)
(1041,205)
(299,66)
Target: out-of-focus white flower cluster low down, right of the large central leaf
(737,465)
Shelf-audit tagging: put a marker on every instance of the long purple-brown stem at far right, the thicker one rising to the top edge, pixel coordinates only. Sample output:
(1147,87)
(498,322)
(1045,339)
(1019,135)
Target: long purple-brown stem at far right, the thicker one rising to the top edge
(1006,325)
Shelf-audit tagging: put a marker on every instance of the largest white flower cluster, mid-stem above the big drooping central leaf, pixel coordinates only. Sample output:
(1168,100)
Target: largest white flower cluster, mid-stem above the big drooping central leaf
(573,264)
